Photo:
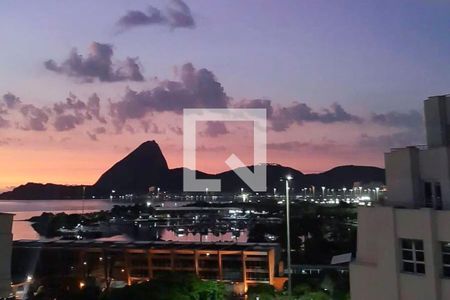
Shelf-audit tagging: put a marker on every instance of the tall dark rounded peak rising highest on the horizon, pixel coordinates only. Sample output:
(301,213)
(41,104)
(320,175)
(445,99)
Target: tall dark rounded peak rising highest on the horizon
(142,168)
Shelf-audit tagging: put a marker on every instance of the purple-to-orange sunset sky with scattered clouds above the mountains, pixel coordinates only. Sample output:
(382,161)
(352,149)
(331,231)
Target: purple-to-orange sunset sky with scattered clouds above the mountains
(82,83)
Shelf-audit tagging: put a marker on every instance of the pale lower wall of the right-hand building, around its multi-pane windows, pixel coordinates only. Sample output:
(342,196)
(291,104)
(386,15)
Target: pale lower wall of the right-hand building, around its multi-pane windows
(376,272)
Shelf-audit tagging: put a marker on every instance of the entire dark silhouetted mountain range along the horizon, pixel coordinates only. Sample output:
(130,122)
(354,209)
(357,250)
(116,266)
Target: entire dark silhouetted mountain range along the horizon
(146,167)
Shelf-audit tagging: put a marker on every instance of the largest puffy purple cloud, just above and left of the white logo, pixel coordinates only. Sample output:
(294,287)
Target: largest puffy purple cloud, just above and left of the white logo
(196,89)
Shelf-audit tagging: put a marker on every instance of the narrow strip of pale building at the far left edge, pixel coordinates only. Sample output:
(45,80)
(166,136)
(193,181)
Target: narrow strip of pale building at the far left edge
(5,254)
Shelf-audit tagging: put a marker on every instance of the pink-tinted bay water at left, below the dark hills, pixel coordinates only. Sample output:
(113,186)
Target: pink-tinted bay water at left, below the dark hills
(25,209)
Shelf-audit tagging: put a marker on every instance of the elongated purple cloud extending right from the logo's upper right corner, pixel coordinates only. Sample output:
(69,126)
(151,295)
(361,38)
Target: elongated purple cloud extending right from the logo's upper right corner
(300,113)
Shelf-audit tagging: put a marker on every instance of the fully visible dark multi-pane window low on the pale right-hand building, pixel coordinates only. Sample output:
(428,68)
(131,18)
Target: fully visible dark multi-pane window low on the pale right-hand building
(413,256)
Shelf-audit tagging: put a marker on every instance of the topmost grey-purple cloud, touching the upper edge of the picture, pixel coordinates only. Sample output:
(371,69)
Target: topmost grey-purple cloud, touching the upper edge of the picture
(176,15)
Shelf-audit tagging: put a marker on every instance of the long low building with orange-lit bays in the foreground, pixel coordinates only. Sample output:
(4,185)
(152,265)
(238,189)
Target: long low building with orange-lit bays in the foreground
(242,264)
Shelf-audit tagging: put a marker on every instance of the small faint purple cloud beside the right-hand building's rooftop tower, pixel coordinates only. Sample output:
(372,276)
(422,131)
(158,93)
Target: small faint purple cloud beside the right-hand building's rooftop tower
(411,119)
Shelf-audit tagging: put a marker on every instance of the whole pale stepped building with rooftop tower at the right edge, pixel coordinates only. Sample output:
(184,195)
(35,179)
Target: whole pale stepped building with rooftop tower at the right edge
(403,246)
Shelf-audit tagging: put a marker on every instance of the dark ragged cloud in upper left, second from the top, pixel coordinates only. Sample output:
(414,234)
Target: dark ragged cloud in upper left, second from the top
(97,65)
